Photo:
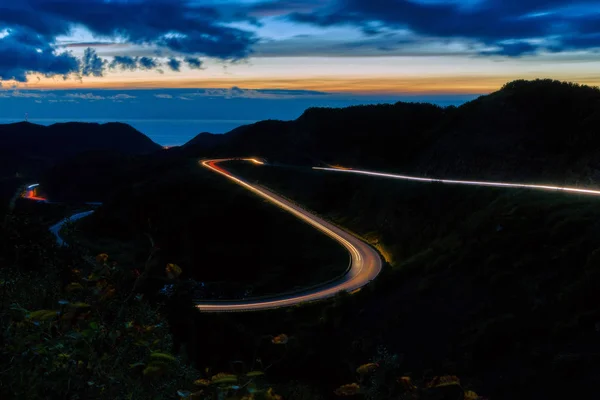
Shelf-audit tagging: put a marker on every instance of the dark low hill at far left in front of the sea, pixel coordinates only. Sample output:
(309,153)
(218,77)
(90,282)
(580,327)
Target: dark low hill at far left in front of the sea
(29,148)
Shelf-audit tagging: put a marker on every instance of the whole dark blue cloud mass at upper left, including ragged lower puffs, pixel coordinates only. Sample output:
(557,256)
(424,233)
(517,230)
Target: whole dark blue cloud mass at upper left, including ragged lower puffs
(29,28)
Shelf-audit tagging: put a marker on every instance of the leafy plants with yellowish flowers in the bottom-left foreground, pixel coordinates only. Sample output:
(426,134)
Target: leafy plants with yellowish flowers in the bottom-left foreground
(97,341)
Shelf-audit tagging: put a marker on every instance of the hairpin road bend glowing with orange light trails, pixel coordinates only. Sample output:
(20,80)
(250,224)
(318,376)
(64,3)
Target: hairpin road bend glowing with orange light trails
(365,263)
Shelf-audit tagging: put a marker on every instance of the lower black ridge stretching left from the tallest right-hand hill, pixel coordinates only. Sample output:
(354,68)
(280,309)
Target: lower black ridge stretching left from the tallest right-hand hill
(361,135)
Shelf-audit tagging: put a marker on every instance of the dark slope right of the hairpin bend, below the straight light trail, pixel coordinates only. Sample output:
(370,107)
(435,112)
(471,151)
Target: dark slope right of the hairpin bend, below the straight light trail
(489,278)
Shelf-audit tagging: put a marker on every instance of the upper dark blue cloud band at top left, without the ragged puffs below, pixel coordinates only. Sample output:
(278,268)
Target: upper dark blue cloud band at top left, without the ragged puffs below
(181,25)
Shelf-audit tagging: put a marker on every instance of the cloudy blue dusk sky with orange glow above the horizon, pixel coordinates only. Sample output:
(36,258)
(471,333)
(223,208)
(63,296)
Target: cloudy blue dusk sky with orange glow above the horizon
(57,53)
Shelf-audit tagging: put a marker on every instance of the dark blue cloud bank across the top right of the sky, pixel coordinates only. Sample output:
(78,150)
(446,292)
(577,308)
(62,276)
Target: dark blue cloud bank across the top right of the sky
(489,21)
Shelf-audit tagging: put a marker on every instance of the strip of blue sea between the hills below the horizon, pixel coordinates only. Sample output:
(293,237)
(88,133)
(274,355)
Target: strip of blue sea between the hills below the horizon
(165,132)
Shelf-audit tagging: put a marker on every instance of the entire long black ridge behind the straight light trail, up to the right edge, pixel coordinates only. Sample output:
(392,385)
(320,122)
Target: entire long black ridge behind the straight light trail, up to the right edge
(540,129)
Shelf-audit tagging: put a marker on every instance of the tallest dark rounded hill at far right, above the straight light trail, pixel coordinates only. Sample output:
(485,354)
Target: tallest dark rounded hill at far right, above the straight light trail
(539,129)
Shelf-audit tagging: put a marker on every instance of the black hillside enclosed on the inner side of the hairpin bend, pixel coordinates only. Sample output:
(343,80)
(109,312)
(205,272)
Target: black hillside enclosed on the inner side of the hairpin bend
(232,243)
